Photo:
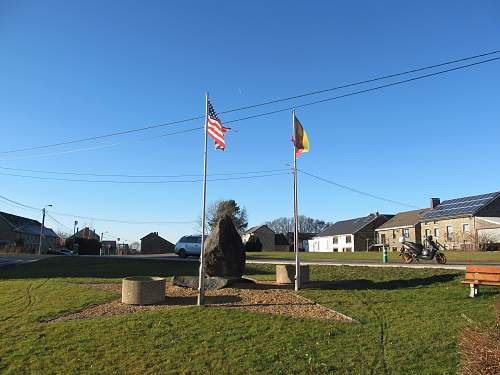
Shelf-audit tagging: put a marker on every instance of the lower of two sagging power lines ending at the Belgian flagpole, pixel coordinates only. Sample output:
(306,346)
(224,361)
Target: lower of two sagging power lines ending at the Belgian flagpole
(149,182)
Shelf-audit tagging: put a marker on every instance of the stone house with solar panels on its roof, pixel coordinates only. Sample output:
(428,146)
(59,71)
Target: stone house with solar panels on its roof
(455,223)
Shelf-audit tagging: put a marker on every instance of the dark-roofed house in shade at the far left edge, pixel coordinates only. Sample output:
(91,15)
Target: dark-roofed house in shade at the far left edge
(23,234)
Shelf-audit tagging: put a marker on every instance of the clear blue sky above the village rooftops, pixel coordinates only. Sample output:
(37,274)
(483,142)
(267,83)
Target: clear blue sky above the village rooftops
(75,69)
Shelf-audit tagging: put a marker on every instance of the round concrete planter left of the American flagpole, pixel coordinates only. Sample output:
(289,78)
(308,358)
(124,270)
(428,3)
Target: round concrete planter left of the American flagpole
(143,290)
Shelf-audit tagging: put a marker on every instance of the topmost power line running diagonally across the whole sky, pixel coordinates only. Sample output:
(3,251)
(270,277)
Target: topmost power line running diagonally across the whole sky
(194,118)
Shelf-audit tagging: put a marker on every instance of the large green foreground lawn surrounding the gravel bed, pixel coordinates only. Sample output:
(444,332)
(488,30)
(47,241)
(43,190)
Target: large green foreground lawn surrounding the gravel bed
(409,321)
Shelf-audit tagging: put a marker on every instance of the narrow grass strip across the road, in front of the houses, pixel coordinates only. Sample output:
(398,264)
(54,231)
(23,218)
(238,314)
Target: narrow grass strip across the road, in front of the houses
(456,256)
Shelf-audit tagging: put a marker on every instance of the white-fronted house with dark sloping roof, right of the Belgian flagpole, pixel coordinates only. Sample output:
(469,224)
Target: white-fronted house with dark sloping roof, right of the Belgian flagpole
(348,235)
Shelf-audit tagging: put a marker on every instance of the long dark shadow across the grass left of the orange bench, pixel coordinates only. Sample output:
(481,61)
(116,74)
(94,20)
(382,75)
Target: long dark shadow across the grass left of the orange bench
(364,284)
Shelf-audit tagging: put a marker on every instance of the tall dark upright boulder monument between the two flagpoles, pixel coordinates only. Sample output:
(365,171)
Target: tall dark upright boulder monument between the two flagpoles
(224,254)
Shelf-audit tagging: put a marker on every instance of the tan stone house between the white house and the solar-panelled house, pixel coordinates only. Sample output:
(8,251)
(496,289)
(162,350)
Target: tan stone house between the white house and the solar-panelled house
(405,224)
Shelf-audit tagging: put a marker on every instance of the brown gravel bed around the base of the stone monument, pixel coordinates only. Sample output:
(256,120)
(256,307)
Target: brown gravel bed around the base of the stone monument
(260,297)
